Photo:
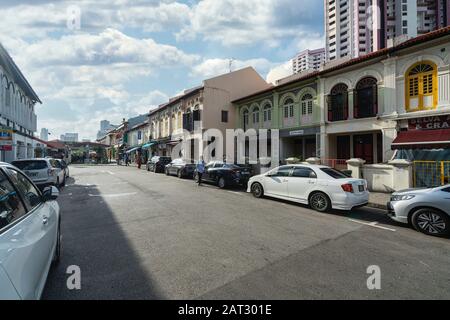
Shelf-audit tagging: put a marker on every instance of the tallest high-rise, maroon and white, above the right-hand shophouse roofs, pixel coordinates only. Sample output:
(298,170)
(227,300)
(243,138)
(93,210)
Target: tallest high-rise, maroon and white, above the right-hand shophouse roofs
(358,27)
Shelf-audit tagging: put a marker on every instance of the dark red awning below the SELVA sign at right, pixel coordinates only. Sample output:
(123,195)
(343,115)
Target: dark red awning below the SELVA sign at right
(423,139)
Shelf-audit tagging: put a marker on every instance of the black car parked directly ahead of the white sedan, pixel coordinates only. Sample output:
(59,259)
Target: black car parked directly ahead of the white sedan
(224,174)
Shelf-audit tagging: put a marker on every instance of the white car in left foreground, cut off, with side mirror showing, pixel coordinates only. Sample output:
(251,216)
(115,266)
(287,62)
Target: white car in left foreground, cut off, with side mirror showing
(30,236)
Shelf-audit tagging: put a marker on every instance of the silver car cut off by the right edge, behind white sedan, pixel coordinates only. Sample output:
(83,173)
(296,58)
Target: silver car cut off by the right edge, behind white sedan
(426,209)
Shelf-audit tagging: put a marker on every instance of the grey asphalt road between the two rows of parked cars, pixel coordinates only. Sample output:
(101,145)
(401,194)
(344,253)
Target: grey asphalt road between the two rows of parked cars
(139,235)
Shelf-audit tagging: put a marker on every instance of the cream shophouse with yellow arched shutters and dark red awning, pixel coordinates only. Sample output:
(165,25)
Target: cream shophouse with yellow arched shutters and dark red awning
(393,101)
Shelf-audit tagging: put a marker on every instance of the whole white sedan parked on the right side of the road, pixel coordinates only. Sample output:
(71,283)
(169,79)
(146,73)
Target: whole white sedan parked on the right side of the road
(320,187)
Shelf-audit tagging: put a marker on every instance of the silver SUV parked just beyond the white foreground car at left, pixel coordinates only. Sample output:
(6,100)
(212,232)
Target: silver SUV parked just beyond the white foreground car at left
(43,171)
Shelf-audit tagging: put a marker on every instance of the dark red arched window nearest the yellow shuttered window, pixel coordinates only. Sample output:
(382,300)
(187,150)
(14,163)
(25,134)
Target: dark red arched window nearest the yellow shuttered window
(365,103)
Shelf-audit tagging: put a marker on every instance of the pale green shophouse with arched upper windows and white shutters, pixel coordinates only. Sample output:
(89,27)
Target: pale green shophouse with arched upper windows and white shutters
(293,109)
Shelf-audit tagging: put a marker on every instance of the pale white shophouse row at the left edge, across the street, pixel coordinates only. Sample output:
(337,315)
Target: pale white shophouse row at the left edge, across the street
(18,120)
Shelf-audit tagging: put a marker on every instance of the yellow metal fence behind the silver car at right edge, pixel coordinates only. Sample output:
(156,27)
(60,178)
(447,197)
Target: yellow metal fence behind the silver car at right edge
(431,173)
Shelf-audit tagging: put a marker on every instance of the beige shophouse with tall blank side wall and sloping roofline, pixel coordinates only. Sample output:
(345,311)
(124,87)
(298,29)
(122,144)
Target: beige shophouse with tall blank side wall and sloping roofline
(198,109)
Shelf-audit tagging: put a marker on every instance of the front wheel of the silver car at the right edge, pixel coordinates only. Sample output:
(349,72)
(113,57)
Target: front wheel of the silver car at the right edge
(431,222)
